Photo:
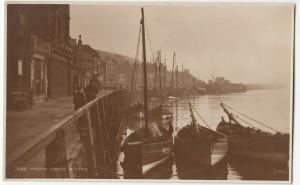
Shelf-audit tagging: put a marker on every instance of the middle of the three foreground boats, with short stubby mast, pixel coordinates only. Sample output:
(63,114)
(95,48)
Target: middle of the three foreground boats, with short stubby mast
(199,145)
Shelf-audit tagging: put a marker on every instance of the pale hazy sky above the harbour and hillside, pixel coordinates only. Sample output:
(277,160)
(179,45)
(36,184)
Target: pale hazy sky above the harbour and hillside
(244,43)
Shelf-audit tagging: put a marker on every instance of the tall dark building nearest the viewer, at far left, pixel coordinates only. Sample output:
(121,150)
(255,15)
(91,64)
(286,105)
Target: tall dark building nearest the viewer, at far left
(39,56)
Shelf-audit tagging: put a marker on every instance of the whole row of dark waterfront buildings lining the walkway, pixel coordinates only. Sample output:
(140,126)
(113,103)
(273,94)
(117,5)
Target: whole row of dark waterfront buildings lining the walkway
(43,61)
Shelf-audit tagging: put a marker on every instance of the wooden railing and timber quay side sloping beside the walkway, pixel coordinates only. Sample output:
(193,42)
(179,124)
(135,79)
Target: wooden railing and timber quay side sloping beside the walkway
(84,144)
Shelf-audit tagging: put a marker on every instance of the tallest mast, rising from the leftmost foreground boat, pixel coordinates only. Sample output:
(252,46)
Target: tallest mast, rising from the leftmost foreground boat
(145,73)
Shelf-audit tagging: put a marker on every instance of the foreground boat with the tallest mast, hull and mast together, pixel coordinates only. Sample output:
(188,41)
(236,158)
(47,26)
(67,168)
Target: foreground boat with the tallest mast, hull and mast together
(150,146)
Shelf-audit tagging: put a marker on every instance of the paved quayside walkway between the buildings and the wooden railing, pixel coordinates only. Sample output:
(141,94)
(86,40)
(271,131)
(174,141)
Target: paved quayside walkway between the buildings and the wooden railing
(23,125)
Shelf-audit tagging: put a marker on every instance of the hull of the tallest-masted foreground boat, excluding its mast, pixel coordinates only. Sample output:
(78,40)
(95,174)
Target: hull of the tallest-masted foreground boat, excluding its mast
(144,153)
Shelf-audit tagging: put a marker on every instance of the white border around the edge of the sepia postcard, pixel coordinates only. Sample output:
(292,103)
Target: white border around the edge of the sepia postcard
(296,131)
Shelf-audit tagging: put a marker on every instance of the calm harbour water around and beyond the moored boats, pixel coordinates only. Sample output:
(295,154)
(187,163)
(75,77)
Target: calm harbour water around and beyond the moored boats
(271,107)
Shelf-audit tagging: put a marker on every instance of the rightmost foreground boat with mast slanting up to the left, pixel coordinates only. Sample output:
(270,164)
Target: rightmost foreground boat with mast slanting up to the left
(251,142)
